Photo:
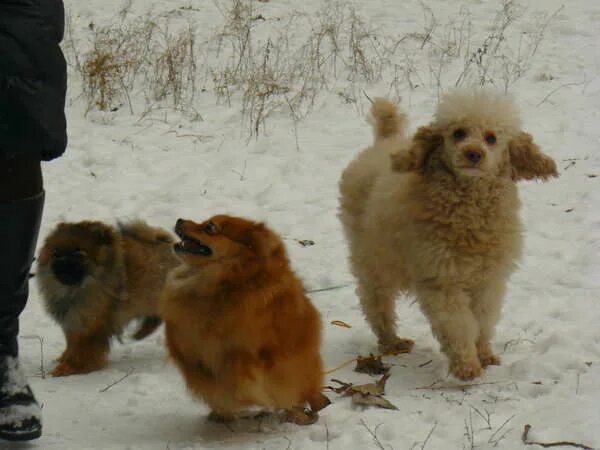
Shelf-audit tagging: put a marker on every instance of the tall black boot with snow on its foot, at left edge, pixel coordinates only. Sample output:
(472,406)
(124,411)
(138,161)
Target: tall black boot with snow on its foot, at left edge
(20,414)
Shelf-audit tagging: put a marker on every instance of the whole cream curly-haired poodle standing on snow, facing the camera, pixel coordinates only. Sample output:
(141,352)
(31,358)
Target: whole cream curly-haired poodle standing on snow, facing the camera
(437,216)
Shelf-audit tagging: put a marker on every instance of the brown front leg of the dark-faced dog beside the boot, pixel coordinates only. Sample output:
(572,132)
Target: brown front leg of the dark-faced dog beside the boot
(83,354)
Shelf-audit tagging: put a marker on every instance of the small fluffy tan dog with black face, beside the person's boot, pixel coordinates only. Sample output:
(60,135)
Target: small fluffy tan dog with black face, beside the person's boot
(95,279)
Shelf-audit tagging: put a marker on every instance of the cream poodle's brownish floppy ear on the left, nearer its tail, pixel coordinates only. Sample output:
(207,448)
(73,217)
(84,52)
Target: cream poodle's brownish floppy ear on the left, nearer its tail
(414,158)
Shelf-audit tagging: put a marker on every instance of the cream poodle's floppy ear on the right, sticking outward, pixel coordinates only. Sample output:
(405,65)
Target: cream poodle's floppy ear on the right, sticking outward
(527,161)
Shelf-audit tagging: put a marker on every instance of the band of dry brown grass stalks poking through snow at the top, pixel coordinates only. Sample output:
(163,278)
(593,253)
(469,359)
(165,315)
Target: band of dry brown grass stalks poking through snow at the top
(280,65)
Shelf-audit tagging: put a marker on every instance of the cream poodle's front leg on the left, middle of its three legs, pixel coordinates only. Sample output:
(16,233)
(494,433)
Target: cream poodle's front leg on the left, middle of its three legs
(455,327)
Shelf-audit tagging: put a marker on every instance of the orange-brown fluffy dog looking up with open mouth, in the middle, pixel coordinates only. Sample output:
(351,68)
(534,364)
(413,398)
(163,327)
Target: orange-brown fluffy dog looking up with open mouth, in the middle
(238,324)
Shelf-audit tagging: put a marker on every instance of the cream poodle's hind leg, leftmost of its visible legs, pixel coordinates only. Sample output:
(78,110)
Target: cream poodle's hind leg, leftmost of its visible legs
(378,305)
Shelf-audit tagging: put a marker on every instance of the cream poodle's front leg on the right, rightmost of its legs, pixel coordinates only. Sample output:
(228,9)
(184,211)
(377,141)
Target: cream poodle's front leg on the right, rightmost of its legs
(486,306)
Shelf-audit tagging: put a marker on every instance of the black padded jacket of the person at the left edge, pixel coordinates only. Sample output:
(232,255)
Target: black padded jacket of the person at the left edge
(33,79)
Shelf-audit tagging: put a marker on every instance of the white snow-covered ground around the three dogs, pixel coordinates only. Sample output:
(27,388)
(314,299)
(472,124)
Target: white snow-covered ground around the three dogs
(168,164)
